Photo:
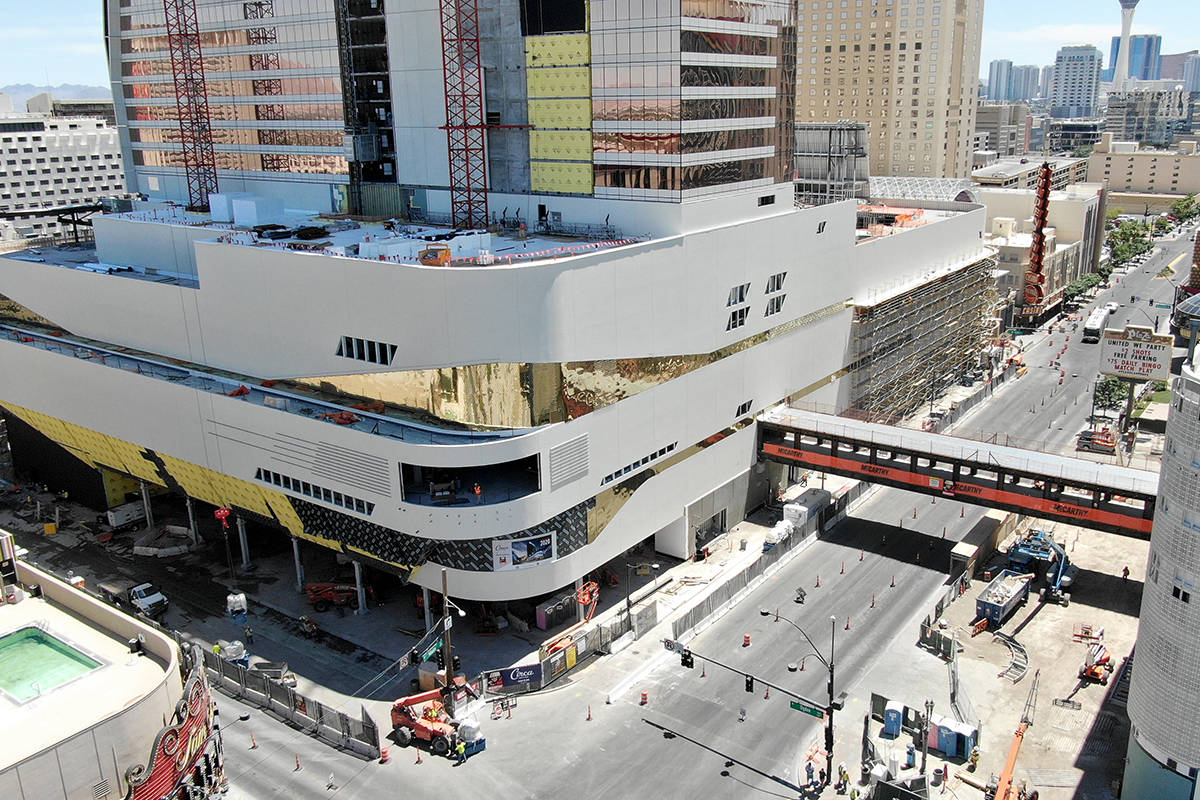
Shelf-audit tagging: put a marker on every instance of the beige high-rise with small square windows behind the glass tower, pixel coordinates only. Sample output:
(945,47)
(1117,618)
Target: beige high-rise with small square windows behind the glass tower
(907,68)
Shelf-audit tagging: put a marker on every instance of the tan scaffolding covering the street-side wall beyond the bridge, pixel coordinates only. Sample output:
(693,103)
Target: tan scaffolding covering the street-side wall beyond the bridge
(909,348)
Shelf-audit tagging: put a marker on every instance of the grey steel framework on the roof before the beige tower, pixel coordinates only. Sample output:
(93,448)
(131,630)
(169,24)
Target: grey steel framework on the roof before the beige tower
(831,163)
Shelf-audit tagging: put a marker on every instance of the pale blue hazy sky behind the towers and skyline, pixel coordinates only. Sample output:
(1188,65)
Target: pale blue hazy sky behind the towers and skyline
(62,41)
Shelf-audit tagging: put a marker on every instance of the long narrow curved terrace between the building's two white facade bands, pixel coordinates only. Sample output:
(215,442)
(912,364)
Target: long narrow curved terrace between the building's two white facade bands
(304,402)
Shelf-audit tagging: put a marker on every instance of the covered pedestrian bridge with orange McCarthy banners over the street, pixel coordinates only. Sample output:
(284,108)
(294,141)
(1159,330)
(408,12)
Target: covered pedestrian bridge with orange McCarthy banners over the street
(1073,491)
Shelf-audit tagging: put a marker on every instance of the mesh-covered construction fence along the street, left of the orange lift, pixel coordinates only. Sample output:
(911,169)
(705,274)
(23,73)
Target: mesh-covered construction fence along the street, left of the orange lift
(359,736)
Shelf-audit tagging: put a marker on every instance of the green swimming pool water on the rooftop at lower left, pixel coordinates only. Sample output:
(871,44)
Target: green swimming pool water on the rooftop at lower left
(33,663)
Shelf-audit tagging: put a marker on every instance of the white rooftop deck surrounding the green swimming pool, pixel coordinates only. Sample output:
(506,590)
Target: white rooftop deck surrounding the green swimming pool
(64,712)
